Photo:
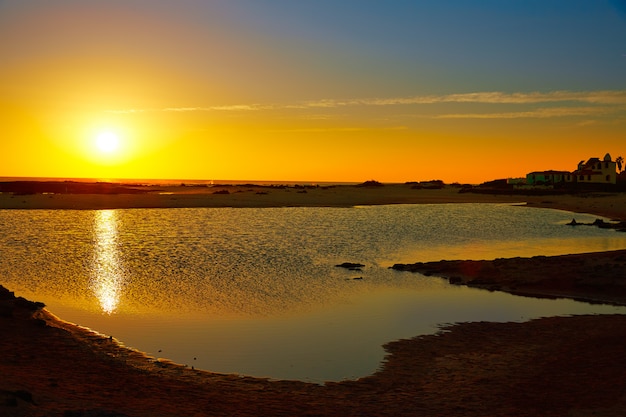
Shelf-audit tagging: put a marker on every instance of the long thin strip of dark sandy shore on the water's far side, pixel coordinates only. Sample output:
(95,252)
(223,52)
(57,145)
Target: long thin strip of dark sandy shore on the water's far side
(606,204)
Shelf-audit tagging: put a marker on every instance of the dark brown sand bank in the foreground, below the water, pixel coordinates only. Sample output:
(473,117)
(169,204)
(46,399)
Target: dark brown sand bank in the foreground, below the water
(561,366)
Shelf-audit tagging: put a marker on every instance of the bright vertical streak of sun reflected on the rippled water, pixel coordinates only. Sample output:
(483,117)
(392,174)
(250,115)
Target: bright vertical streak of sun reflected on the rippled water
(107,279)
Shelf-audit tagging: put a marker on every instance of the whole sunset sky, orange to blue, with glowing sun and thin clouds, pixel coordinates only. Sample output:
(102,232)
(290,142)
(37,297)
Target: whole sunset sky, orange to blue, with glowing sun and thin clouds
(341,90)
